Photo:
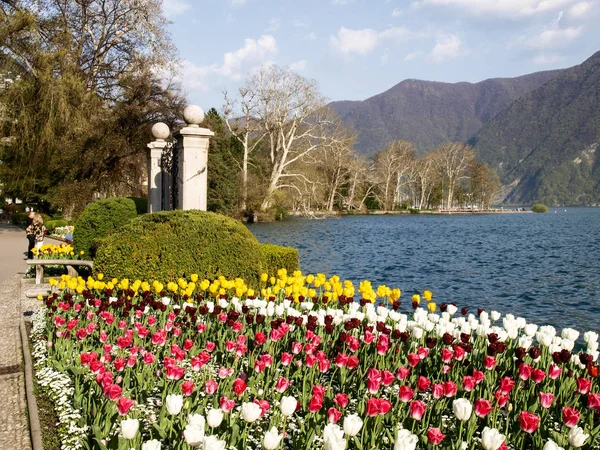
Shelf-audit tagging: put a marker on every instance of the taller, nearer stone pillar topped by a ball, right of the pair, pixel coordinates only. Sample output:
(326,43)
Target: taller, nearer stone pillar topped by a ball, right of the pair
(192,156)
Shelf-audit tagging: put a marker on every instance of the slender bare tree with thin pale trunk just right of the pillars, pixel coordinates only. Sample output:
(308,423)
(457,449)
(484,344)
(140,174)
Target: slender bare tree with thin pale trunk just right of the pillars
(240,117)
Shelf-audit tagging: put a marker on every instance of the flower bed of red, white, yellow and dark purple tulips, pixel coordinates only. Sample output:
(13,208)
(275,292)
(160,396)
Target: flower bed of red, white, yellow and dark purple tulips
(208,365)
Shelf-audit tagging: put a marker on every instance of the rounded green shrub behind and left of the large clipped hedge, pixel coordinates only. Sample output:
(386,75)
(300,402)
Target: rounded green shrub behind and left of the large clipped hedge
(101,219)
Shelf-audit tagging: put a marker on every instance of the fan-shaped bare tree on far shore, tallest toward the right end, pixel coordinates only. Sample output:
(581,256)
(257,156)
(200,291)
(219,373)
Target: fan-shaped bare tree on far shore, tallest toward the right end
(453,160)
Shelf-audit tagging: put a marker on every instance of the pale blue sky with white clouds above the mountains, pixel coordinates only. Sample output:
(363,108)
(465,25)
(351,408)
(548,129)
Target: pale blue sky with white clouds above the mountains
(355,49)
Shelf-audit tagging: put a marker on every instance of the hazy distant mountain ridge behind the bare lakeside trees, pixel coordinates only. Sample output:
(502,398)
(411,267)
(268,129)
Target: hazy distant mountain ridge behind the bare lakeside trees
(430,113)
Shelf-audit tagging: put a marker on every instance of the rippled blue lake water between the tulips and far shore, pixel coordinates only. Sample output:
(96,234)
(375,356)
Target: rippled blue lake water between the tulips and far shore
(544,267)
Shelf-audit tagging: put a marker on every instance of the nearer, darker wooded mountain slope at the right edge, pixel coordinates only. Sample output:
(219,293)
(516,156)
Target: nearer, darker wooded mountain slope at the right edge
(545,144)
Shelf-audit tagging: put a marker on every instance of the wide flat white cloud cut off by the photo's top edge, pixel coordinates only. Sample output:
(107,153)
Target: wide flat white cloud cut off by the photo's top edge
(504,8)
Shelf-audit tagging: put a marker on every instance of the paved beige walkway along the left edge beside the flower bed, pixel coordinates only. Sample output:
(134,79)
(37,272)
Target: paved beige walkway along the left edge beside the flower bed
(14,428)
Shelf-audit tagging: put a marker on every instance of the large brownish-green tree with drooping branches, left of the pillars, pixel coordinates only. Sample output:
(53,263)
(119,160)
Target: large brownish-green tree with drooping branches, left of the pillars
(77,116)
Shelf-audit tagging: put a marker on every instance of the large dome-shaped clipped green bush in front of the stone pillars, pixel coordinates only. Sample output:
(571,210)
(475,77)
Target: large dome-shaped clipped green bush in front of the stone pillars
(171,244)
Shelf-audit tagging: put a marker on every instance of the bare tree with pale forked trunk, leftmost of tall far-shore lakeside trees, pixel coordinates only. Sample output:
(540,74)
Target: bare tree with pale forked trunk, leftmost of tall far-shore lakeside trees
(393,164)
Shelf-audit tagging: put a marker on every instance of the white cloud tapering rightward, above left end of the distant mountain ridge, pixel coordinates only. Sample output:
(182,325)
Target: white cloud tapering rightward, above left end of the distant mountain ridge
(363,42)
